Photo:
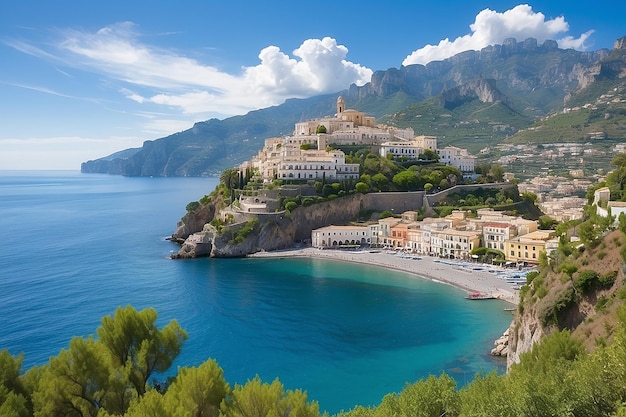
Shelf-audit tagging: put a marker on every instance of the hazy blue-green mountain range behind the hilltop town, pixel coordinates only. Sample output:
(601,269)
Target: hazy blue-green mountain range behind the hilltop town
(470,99)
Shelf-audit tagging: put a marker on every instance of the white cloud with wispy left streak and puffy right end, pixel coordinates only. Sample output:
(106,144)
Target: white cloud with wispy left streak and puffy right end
(151,75)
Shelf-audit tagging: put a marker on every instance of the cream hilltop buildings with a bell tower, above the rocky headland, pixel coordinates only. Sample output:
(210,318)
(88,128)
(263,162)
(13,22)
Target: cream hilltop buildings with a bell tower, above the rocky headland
(307,154)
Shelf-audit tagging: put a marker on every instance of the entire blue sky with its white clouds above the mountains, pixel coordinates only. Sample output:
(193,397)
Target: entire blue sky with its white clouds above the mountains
(80,80)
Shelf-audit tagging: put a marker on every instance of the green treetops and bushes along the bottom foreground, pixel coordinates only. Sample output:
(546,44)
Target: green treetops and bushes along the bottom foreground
(111,376)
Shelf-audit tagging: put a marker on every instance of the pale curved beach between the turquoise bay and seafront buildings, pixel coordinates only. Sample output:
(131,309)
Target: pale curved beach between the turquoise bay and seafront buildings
(467,276)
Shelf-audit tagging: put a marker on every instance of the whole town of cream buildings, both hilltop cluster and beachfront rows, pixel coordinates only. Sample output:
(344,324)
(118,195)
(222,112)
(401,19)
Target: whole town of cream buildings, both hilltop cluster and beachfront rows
(307,156)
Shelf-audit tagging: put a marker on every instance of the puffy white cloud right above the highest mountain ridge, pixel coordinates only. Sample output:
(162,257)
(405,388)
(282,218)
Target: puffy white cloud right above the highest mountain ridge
(491,27)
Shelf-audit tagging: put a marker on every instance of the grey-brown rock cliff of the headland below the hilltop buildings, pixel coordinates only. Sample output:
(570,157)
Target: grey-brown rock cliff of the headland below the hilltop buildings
(274,231)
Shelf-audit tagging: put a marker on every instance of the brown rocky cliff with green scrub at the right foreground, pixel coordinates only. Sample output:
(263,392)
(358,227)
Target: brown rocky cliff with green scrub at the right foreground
(555,301)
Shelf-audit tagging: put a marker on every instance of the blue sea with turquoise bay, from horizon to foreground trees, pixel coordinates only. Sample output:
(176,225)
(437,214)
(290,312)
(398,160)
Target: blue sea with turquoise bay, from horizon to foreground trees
(76,246)
